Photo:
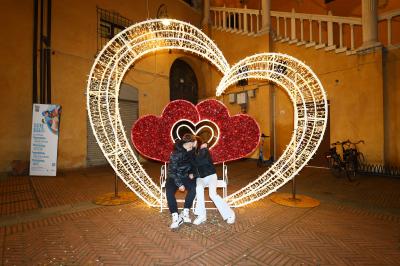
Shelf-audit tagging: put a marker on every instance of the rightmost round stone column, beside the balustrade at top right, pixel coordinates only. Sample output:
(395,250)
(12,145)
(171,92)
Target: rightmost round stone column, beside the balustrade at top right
(369,21)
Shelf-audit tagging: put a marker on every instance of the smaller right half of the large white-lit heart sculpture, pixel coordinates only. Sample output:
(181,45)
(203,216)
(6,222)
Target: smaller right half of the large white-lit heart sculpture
(310,108)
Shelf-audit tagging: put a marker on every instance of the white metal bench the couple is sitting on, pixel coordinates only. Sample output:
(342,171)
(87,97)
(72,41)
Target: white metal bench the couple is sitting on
(221,183)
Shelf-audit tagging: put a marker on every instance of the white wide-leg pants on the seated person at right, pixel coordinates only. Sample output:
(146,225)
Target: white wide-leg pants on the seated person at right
(211,182)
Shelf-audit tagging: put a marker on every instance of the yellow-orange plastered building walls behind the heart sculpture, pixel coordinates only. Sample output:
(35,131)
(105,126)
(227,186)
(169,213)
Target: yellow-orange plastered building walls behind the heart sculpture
(363,88)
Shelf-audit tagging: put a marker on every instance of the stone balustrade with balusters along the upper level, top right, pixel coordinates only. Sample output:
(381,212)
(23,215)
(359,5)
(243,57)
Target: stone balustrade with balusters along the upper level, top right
(321,31)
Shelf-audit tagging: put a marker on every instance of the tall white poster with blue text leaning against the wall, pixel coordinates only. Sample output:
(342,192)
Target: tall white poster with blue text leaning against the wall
(44,141)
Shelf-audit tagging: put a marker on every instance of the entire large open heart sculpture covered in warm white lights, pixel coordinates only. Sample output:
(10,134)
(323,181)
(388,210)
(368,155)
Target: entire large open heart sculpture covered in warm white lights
(296,78)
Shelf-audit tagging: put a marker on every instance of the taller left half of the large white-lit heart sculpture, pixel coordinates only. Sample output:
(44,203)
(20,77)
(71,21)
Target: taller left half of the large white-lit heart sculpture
(103,88)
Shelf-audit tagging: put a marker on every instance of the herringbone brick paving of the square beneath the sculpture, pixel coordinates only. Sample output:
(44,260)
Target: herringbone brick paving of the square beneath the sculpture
(51,221)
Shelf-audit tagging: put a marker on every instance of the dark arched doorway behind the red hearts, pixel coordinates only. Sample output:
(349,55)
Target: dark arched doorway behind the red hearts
(183,82)
